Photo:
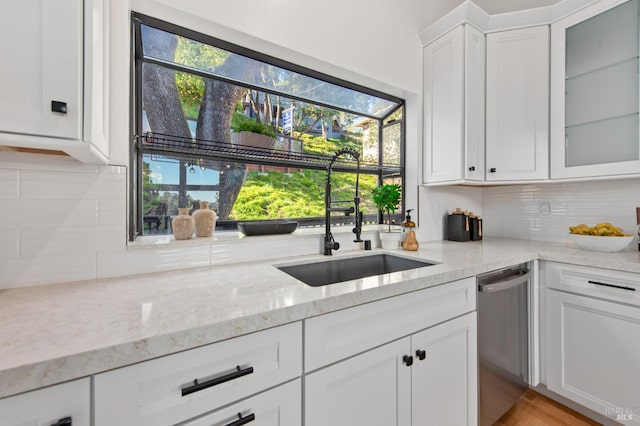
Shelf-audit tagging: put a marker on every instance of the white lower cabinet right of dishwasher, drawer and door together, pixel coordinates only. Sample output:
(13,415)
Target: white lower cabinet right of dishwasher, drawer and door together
(593,350)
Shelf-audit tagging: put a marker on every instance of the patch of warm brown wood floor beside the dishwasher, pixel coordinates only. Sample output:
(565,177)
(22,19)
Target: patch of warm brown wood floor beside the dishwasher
(533,409)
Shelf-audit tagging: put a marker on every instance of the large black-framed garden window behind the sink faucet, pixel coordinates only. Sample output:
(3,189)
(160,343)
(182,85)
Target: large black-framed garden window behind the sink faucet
(249,133)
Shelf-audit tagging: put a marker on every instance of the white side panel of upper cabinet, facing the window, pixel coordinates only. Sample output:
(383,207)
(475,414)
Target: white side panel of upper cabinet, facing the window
(443,107)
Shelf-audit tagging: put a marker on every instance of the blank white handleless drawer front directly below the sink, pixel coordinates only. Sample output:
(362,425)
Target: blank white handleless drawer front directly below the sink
(338,335)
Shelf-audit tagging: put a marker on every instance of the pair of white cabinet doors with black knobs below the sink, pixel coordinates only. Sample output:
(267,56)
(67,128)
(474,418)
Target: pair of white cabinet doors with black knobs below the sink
(429,378)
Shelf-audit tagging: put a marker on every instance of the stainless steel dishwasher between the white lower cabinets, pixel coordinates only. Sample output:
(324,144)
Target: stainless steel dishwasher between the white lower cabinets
(503,340)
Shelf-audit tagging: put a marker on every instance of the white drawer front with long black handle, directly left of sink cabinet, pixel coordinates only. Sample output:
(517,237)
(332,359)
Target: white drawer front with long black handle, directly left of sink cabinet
(164,392)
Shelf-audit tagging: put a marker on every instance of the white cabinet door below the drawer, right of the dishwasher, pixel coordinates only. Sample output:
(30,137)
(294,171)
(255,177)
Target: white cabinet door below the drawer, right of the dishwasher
(593,353)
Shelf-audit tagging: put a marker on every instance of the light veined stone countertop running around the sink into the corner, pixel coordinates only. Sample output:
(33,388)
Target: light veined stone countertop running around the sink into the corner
(55,333)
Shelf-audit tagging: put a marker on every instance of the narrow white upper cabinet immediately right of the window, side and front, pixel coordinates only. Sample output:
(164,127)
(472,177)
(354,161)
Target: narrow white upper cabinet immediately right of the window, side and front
(453,72)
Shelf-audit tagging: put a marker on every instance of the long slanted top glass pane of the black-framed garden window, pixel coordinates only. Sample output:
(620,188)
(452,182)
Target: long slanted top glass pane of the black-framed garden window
(190,54)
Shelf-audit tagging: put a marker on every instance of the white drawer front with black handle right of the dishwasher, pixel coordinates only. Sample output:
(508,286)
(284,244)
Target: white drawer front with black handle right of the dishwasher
(605,284)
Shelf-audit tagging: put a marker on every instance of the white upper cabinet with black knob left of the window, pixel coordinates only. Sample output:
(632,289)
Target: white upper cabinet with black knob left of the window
(53,76)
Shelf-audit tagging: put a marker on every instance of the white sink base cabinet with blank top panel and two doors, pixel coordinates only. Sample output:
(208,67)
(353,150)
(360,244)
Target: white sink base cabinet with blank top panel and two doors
(427,377)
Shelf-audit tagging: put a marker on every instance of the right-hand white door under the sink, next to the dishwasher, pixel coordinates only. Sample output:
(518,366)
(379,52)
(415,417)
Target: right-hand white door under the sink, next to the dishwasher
(444,383)
